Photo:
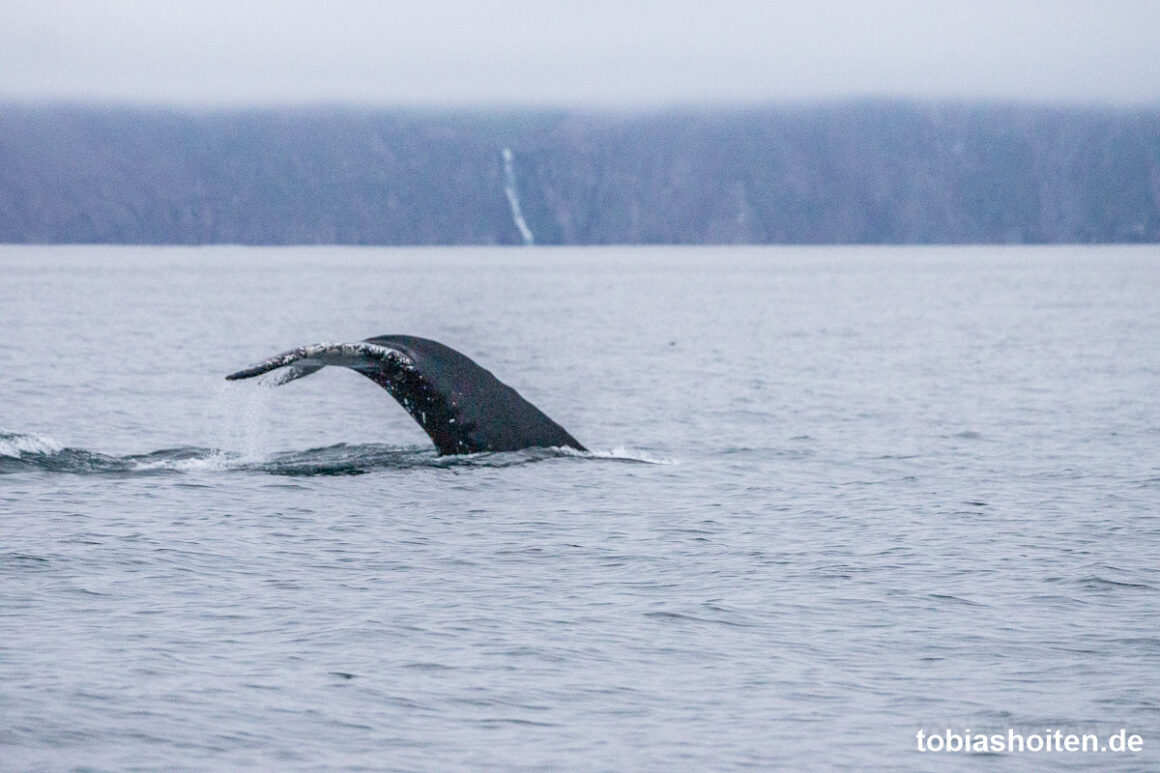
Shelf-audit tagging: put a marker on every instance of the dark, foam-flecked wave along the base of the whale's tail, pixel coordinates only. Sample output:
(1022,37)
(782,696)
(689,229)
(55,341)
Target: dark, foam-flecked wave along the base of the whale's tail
(31,453)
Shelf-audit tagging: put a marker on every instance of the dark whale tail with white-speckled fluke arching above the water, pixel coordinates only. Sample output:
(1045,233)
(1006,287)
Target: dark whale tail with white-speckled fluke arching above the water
(461,407)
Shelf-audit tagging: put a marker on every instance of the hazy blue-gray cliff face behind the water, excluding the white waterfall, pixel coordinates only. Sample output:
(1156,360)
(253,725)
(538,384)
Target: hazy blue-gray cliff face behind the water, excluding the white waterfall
(850,174)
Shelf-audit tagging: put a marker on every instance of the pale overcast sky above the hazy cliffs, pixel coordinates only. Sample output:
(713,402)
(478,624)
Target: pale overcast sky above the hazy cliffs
(584,53)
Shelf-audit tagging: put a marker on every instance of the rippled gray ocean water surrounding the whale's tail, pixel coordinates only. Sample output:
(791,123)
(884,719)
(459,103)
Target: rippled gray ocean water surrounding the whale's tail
(837,496)
